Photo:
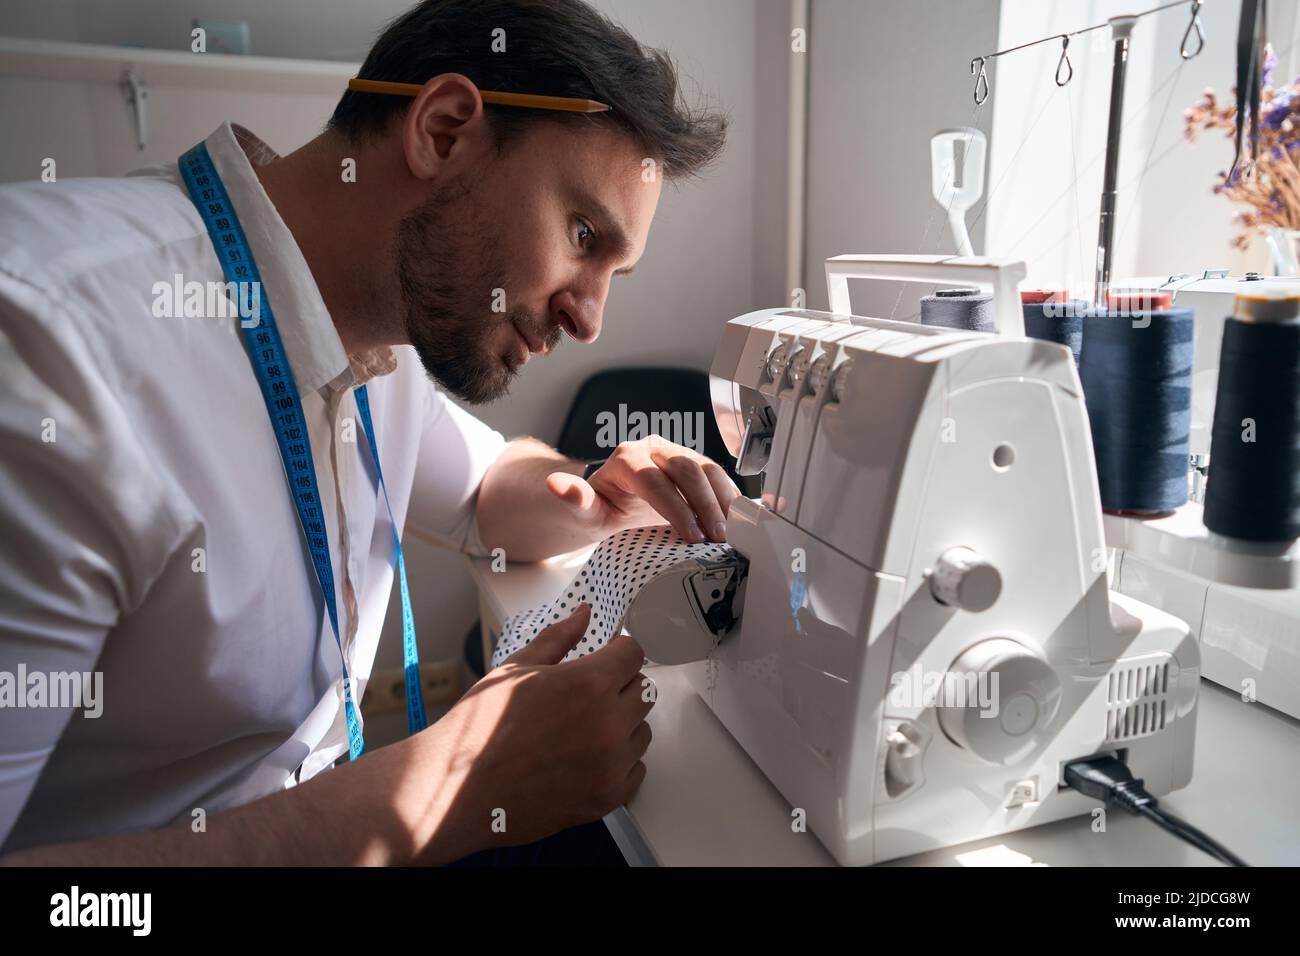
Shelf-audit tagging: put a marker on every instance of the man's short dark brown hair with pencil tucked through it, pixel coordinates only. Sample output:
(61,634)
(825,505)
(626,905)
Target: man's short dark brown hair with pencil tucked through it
(553,47)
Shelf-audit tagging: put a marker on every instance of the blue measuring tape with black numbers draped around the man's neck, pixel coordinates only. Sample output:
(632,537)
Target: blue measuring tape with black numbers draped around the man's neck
(280,392)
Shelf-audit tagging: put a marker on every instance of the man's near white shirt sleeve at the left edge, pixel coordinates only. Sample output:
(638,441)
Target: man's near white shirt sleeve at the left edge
(73,498)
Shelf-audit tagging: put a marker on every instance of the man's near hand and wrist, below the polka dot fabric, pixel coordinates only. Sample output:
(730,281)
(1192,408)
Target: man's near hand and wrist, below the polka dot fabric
(535,747)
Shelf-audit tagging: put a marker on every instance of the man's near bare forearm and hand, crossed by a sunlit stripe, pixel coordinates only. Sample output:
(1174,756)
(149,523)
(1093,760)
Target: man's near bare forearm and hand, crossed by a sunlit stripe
(535,747)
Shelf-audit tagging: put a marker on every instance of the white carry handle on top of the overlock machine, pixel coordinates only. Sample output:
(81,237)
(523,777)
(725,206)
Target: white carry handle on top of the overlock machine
(1003,276)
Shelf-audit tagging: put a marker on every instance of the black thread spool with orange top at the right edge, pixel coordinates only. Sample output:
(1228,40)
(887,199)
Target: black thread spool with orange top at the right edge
(1254,487)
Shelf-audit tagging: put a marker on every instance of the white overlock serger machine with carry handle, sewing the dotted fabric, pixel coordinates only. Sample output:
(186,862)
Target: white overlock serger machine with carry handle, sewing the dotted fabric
(916,634)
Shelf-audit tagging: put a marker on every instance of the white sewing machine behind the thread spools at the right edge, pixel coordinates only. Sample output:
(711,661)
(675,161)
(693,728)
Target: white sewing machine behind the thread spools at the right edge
(1250,637)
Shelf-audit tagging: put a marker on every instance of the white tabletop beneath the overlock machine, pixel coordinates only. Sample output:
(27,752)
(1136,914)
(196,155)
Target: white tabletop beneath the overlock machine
(707,803)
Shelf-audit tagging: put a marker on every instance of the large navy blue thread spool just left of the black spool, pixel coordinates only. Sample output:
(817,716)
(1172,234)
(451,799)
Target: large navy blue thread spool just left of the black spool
(1137,374)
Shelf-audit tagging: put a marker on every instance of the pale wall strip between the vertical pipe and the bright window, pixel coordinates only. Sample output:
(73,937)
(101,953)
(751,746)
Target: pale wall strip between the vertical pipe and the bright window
(885,77)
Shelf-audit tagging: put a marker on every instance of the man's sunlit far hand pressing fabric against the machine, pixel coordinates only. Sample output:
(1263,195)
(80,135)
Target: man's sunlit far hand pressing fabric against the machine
(651,482)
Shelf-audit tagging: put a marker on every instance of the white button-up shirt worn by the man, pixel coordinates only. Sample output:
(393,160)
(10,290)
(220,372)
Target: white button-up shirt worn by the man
(222,676)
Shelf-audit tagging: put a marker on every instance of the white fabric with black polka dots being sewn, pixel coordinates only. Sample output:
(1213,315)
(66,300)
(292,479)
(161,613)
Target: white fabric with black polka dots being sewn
(610,581)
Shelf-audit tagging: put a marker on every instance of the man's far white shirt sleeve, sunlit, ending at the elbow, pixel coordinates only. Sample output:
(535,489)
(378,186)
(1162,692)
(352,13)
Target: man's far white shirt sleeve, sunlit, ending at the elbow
(456,452)
